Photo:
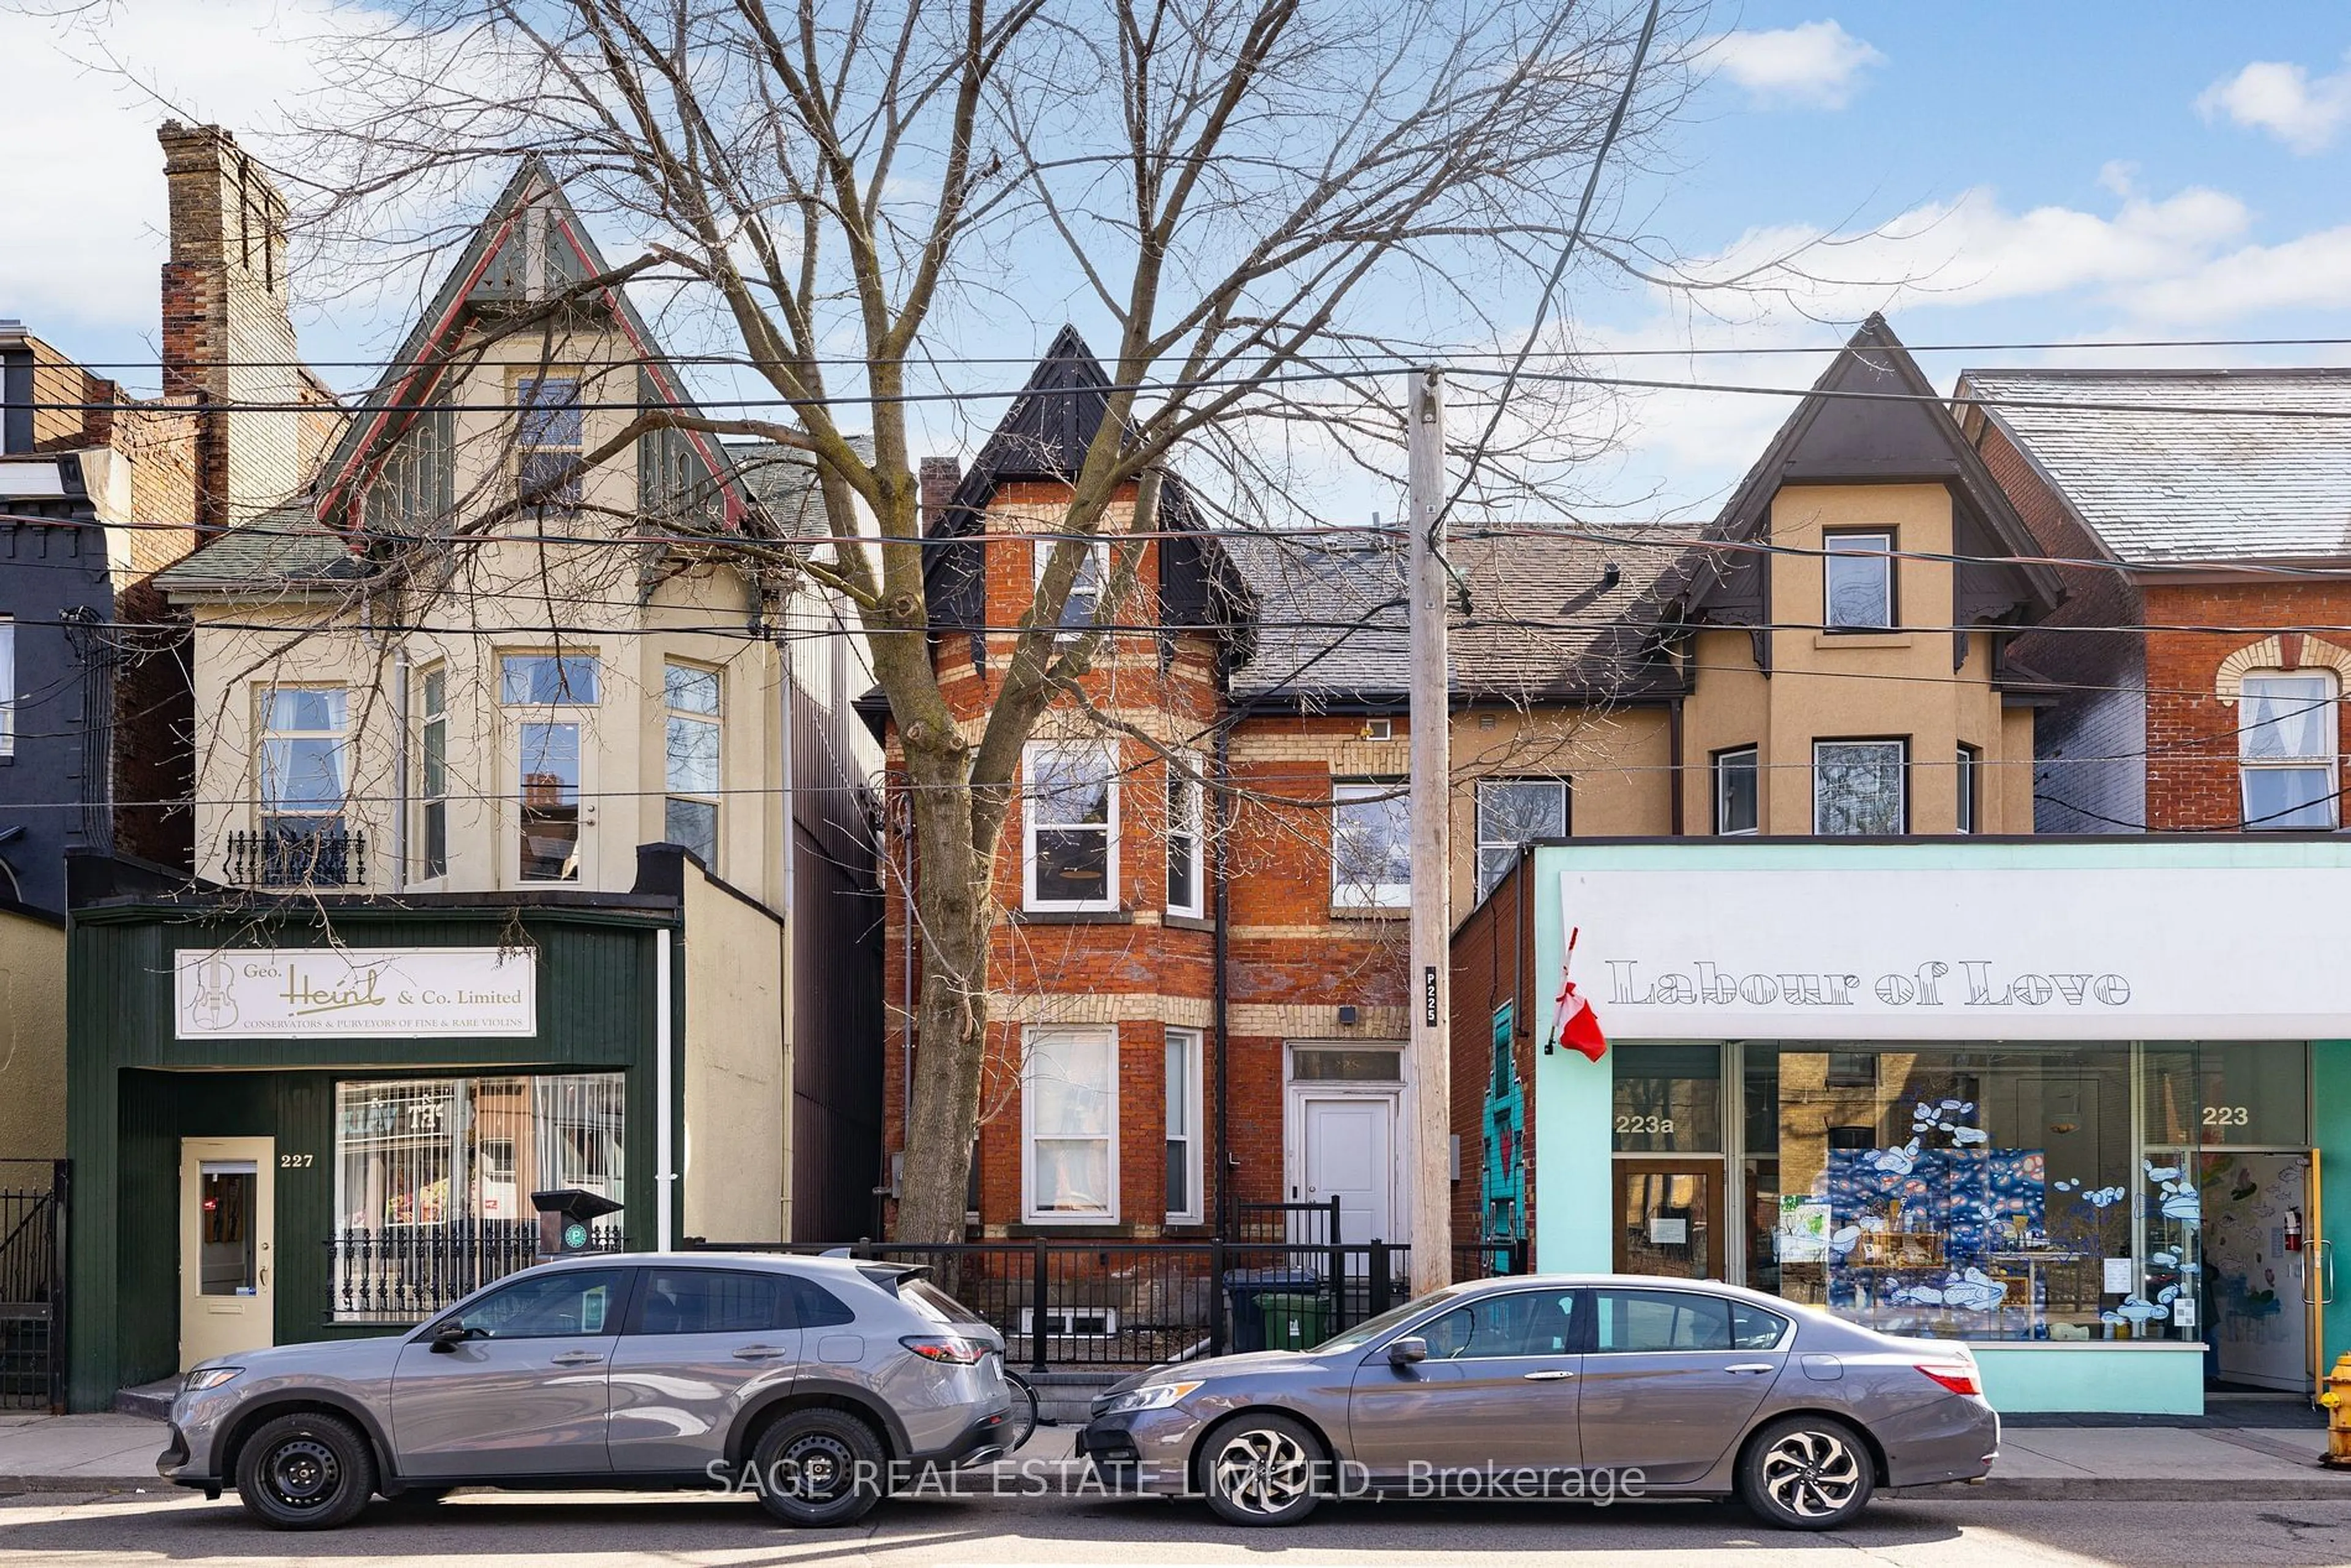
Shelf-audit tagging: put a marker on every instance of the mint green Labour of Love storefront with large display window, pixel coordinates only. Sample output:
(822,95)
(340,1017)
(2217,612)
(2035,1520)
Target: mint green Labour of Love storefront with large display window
(2079,1104)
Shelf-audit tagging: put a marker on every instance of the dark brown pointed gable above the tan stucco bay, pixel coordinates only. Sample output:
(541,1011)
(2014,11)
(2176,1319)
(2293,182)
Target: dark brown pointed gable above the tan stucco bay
(1873,420)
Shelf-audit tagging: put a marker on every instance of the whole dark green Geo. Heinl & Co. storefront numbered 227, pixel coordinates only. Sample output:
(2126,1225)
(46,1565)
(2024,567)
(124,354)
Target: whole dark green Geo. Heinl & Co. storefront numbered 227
(147,1101)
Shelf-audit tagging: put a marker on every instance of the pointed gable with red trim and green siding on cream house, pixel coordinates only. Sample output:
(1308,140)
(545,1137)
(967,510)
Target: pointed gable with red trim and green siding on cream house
(533,248)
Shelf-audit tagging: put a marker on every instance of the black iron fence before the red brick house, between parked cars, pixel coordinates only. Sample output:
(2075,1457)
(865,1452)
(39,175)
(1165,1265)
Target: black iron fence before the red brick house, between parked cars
(1069,1304)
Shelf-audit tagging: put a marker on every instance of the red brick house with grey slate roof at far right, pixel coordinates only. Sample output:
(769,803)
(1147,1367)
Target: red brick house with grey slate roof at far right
(2190,507)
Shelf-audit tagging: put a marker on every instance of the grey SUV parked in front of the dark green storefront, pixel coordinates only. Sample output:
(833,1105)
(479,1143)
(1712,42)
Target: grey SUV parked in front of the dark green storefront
(817,1383)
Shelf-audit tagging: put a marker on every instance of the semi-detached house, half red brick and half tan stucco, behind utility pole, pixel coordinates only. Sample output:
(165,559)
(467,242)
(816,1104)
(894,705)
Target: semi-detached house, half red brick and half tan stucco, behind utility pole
(1616,688)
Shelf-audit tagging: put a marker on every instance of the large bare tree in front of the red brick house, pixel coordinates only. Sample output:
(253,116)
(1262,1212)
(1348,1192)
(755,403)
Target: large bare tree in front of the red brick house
(1273,203)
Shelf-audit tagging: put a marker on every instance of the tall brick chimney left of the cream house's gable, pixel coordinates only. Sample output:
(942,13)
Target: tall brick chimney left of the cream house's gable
(227,333)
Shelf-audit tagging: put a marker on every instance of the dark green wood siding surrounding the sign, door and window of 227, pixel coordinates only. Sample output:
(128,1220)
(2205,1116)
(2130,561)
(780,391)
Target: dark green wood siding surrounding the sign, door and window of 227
(135,1094)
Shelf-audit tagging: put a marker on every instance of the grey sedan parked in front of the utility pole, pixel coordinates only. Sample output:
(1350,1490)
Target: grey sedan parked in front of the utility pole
(1595,1388)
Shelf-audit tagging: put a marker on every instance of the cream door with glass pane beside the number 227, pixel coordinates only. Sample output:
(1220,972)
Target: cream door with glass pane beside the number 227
(227,1247)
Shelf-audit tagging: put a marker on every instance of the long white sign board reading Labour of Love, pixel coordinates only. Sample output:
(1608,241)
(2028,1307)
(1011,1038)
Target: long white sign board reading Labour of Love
(1981,953)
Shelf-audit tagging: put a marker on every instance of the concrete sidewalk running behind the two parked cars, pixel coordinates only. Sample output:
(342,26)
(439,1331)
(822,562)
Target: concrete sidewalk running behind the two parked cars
(102,1454)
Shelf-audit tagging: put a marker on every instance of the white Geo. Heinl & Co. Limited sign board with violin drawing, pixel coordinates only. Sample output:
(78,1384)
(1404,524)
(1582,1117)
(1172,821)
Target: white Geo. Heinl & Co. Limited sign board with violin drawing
(236,993)
